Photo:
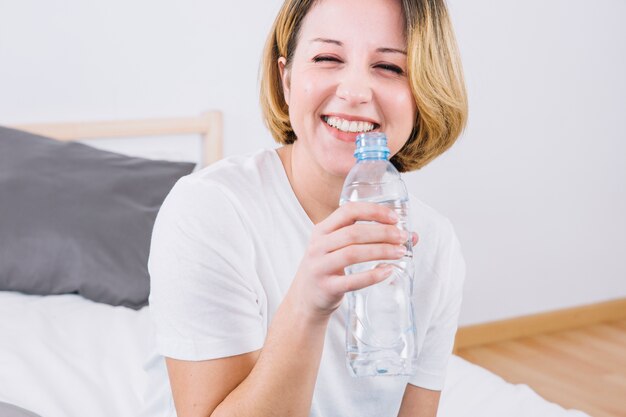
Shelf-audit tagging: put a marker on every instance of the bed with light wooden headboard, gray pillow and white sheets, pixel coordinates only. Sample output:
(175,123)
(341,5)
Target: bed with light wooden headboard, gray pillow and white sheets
(78,349)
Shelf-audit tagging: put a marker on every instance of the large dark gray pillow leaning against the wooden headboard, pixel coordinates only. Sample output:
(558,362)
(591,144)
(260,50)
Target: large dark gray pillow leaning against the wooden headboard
(75,219)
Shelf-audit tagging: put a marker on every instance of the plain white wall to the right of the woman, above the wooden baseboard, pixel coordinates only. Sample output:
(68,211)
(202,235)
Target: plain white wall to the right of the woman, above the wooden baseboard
(537,184)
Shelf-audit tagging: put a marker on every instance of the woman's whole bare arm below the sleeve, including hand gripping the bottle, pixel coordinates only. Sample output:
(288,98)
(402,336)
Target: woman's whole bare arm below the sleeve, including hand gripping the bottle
(280,379)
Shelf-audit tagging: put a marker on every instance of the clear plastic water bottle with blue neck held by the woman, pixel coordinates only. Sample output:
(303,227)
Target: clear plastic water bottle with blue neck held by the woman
(380,334)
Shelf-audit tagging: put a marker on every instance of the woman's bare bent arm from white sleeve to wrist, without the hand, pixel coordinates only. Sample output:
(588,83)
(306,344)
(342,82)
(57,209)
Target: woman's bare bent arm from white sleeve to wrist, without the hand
(275,381)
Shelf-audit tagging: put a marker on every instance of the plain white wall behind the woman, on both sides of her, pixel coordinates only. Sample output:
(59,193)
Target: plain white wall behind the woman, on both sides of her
(536,186)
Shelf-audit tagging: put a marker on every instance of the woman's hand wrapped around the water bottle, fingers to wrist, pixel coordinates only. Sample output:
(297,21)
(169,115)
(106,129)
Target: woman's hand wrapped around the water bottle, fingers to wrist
(339,241)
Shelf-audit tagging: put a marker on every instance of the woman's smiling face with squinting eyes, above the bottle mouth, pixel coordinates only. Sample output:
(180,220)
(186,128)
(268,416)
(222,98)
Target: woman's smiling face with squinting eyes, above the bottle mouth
(348,75)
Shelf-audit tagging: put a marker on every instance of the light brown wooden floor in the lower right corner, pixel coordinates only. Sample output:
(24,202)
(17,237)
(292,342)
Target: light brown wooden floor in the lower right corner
(583,369)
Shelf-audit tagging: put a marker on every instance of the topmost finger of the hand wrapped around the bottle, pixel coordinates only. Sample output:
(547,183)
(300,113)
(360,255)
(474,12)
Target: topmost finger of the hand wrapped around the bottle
(352,212)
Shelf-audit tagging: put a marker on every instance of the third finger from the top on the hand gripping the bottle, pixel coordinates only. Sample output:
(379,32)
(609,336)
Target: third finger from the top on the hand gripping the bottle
(354,254)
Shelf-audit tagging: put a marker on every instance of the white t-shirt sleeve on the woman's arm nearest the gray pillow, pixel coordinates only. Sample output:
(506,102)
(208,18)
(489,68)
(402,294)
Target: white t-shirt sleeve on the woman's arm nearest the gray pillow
(203,297)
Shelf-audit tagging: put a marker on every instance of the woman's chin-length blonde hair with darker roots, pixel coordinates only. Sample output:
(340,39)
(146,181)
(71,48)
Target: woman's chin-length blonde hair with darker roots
(434,71)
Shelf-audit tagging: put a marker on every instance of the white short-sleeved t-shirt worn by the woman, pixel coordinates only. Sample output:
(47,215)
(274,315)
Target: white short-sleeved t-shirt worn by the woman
(226,245)
